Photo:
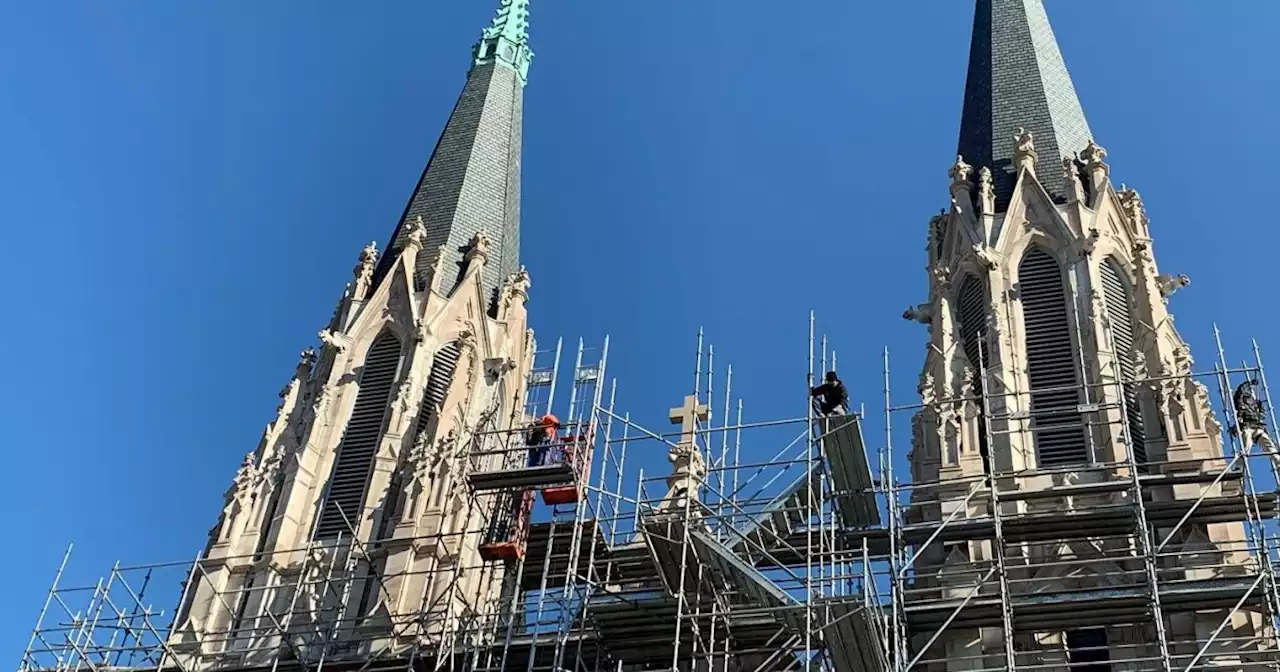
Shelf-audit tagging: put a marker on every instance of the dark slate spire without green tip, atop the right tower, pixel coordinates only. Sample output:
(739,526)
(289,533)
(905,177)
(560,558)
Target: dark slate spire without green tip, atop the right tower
(1018,80)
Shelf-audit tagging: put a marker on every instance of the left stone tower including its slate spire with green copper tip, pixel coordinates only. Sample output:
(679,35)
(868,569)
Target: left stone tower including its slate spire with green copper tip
(358,474)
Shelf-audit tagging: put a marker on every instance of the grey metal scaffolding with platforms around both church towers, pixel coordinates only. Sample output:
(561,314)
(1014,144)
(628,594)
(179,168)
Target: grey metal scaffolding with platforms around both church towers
(799,548)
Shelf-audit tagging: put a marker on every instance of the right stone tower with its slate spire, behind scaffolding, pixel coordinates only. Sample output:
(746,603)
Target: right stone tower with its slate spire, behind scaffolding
(1054,364)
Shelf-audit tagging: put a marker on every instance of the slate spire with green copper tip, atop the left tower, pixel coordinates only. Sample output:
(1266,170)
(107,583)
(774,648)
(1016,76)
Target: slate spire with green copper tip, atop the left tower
(472,182)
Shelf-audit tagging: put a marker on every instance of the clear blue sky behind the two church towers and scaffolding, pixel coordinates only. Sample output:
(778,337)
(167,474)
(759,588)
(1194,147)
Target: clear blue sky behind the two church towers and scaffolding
(185,189)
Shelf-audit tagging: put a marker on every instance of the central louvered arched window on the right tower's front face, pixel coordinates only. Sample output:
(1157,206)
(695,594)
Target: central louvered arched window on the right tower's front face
(1050,363)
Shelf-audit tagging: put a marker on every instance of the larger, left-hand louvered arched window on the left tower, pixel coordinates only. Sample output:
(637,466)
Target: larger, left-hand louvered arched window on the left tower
(355,461)
